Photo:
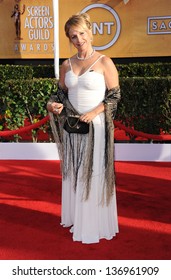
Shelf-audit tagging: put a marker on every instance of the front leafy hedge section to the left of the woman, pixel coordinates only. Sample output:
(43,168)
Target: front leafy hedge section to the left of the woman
(25,100)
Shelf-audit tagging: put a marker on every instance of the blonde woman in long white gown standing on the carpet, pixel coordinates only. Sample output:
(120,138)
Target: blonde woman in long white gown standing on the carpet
(88,209)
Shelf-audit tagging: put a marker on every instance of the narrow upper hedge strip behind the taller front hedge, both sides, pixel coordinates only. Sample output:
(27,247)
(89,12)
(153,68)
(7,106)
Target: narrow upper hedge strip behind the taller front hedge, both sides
(47,71)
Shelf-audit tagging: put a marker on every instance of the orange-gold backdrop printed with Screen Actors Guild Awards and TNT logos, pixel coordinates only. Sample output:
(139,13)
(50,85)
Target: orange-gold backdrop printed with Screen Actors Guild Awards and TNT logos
(133,29)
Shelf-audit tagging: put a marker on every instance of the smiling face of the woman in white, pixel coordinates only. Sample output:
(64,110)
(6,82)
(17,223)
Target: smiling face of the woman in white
(80,38)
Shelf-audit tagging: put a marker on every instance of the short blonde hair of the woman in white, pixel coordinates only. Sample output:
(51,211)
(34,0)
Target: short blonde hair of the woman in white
(78,20)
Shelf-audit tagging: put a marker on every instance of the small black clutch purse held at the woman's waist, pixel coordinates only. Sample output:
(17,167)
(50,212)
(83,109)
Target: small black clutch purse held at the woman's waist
(74,125)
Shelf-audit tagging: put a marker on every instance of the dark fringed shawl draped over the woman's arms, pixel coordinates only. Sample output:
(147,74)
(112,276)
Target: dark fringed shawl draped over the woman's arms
(73,156)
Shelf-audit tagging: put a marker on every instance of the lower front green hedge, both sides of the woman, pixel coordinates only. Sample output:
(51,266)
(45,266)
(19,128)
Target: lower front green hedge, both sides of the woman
(145,103)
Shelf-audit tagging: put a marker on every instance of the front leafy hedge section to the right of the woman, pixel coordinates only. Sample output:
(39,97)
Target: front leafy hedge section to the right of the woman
(146,104)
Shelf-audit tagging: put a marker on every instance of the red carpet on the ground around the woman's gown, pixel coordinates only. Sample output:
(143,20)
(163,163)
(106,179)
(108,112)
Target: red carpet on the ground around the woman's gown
(30,214)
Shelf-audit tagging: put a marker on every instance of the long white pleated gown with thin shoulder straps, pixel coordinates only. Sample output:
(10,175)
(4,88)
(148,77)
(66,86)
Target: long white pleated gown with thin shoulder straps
(90,220)
